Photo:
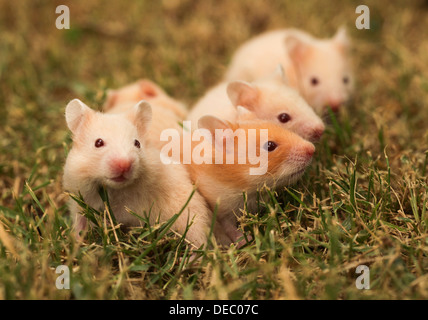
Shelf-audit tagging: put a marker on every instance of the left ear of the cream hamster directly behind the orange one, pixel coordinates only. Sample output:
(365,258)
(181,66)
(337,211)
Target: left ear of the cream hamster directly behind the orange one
(244,94)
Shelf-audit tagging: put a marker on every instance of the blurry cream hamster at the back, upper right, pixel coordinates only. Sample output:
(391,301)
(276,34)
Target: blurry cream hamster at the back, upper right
(318,68)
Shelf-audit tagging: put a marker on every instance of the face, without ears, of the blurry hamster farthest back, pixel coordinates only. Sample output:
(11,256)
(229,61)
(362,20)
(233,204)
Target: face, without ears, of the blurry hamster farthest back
(326,77)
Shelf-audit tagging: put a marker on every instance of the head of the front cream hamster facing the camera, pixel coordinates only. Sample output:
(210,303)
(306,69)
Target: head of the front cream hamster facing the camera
(107,149)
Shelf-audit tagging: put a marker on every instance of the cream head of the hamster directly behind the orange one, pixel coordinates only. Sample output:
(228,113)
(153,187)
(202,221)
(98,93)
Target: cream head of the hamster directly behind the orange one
(271,99)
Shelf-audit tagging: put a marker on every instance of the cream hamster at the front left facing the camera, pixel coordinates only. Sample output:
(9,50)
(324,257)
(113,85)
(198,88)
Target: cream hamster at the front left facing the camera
(109,150)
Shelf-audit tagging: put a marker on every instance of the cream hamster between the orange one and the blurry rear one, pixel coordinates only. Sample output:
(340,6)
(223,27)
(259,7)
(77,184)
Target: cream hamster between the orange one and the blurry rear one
(268,98)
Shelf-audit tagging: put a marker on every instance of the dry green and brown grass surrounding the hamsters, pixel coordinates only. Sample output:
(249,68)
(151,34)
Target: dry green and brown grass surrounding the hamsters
(363,201)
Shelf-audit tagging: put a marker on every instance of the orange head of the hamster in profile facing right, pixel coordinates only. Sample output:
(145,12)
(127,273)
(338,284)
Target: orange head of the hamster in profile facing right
(287,153)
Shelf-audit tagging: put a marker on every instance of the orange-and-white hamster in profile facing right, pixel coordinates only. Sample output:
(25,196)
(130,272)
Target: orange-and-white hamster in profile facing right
(287,153)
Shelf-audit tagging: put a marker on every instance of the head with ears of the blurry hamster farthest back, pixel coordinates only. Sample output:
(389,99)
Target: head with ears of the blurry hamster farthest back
(323,69)
